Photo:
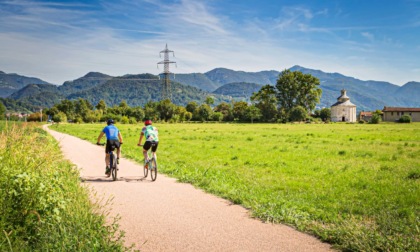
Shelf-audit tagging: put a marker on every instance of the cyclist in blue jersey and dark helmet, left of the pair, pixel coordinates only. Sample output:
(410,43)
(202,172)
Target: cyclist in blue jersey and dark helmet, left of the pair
(113,140)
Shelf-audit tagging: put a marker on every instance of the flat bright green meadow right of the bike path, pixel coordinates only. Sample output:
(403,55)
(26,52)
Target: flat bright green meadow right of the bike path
(356,186)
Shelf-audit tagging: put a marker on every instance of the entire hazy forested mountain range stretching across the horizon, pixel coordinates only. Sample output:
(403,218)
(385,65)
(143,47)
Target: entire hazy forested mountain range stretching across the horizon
(223,84)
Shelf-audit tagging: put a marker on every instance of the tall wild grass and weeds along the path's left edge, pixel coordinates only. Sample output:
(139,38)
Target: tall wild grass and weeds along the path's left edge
(42,205)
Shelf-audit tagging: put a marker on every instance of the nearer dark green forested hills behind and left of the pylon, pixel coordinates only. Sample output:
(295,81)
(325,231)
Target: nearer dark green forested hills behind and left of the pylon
(136,90)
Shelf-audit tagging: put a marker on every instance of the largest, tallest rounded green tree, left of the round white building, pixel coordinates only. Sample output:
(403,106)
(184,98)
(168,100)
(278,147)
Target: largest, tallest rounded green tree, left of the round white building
(297,89)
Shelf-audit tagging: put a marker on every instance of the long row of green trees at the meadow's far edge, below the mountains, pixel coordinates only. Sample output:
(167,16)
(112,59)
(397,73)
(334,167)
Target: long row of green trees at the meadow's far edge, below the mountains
(293,98)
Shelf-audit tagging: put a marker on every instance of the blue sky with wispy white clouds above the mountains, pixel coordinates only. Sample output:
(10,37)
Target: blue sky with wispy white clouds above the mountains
(63,40)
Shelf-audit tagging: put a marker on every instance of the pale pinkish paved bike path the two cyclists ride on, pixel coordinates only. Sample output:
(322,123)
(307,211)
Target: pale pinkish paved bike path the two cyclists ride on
(169,216)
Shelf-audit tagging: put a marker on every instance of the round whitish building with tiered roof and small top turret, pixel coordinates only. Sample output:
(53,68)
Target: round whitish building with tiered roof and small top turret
(343,110)
